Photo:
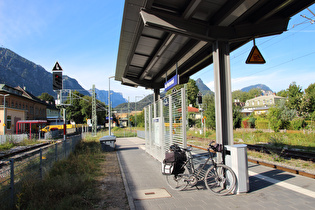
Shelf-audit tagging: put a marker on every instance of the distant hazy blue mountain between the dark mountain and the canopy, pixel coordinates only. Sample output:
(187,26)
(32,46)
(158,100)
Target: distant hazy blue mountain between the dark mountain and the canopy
(116,98)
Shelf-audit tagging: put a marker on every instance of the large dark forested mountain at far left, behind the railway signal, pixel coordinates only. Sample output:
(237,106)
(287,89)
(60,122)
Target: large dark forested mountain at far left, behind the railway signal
(18,71)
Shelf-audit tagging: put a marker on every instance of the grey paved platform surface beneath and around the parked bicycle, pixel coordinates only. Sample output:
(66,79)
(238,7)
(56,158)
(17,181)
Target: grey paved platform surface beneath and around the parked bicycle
(146,187)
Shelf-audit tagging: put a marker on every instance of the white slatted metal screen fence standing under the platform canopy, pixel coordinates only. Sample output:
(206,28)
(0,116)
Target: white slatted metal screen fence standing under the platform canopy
(165,123)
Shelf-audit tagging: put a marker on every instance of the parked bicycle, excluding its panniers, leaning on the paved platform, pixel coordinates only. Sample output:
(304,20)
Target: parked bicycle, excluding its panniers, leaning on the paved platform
(219,178)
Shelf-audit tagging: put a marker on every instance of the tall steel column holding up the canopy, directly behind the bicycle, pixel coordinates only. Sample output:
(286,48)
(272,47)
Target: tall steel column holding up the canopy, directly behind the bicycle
(223,95)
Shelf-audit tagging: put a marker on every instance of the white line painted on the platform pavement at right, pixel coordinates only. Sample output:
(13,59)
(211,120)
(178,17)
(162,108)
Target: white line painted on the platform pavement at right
(284,184)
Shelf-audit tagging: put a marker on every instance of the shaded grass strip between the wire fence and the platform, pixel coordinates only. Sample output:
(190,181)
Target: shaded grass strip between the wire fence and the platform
(70,184)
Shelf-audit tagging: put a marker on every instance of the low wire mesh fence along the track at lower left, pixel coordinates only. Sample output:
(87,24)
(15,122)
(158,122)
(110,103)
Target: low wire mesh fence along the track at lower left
(15,172)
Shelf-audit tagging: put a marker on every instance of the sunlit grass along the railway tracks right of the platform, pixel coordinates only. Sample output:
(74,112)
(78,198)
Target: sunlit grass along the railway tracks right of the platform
(301,141)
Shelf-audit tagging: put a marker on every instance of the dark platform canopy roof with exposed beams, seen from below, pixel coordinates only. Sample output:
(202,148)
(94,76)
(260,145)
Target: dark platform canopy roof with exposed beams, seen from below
(161,37)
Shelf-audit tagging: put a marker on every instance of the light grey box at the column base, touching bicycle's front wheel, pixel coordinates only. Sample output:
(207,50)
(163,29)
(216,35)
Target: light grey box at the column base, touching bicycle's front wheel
(236,158)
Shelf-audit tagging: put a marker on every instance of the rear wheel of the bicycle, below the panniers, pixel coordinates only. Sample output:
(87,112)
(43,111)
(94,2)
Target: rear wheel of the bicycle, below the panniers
(178,182)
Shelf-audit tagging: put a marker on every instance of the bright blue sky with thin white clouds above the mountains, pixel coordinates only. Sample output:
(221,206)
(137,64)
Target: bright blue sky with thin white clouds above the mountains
(83,36)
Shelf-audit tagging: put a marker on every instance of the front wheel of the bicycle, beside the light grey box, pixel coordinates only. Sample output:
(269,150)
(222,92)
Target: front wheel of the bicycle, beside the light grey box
(220,179)
